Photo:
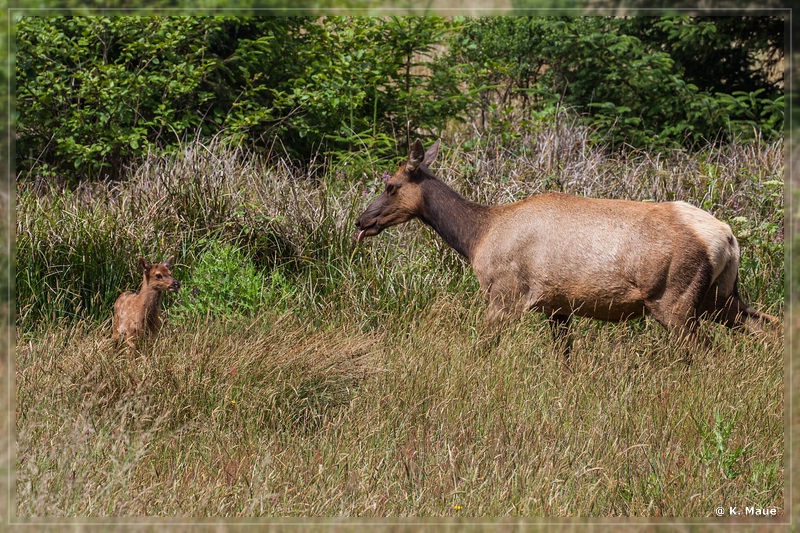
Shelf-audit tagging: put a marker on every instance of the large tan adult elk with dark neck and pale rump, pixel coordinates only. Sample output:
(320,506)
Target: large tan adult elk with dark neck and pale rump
(569,255)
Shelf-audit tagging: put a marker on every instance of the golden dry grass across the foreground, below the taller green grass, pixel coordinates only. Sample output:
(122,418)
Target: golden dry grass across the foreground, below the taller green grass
(280,420)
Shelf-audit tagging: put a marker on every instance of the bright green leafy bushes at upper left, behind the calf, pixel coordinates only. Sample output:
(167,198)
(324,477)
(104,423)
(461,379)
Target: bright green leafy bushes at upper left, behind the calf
(94,93)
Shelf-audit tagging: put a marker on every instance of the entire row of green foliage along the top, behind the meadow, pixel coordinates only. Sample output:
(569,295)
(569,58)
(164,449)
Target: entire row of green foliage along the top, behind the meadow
(94,93)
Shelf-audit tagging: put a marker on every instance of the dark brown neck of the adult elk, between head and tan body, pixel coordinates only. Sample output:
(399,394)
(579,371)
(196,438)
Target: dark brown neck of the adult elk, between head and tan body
(460,222)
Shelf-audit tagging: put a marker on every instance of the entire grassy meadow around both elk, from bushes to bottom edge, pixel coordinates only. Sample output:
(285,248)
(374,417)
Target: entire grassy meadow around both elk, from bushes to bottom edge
(299,374)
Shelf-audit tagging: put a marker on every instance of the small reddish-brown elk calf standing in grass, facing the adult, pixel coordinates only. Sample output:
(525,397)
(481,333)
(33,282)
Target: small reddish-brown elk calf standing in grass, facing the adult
(136,313)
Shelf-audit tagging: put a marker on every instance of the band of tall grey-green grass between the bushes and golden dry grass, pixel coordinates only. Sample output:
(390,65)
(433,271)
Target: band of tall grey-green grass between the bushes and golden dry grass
(76,249)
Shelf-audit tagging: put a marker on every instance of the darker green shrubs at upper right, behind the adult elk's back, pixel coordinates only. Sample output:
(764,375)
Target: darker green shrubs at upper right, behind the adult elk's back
(634,81)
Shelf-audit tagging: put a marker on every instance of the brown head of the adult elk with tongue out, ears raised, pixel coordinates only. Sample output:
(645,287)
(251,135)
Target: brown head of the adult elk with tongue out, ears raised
(402,197)
